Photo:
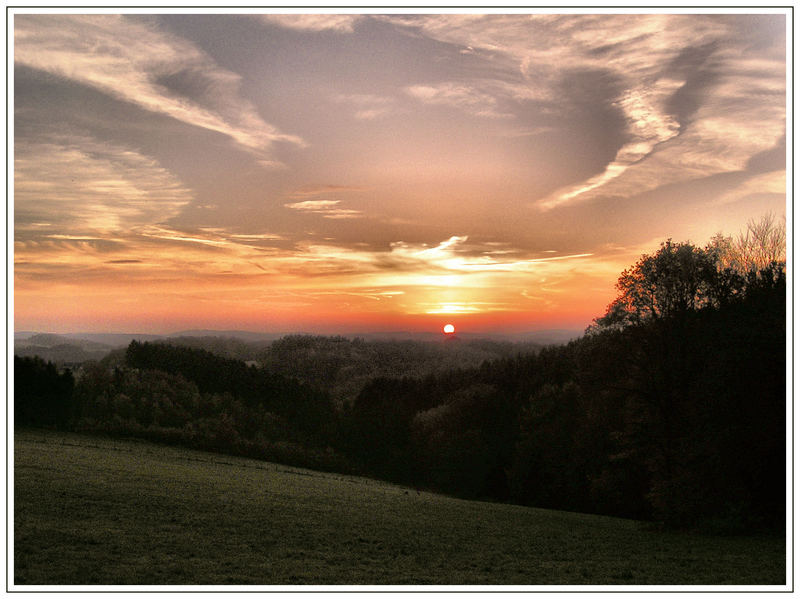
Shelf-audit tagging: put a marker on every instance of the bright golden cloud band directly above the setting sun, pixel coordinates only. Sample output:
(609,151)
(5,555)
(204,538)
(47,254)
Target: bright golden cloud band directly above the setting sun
(454,276)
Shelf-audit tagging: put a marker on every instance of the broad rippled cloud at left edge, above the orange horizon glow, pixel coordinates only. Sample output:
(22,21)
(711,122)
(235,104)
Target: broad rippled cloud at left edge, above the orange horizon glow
(83,207)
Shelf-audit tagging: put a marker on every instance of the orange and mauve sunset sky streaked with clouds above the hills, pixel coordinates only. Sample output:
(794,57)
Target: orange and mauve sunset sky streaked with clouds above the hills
(338,173)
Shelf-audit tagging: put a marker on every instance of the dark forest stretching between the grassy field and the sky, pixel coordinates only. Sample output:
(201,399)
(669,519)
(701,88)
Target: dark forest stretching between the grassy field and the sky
(670,408)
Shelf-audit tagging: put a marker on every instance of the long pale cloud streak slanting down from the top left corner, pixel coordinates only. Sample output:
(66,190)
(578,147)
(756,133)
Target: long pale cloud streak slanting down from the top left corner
(135,61)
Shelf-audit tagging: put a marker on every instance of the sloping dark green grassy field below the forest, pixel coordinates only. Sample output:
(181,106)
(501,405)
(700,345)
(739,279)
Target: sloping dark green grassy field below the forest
(98,511)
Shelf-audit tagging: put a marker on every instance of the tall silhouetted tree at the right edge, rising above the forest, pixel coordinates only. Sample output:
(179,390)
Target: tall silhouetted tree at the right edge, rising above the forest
(686,319)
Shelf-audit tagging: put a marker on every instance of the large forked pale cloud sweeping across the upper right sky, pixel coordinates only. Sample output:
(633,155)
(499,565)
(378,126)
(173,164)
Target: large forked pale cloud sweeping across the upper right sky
(656,60)
